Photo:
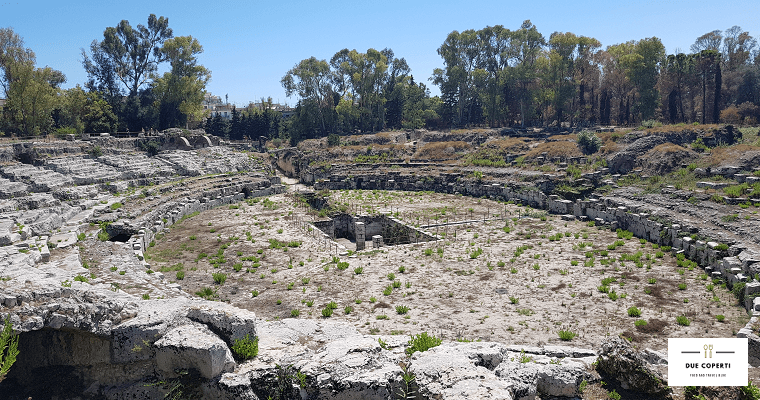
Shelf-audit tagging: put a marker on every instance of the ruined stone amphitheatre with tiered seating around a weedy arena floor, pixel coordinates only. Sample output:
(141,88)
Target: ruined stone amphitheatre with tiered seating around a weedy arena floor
(93,233)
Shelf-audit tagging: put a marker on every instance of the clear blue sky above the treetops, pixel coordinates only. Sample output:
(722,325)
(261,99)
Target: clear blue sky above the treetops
(250,45)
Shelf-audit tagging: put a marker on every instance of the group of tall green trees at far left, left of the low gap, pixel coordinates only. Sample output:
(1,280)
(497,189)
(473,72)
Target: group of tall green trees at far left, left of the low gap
(123,91)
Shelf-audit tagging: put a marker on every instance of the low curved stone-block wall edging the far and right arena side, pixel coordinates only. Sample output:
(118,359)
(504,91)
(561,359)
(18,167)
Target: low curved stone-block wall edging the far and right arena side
(605,212)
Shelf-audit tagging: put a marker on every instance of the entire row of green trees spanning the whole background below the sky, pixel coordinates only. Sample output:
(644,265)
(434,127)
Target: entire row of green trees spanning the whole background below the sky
(490,77)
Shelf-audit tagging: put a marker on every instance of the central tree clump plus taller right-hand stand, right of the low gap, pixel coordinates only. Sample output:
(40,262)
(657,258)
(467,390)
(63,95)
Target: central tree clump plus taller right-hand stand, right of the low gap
(500,77)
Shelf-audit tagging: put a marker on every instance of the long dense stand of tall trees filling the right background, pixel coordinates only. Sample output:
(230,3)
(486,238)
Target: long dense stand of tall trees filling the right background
(497,77)
